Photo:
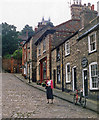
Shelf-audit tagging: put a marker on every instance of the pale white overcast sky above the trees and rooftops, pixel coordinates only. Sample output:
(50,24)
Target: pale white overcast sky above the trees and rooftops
(22,12)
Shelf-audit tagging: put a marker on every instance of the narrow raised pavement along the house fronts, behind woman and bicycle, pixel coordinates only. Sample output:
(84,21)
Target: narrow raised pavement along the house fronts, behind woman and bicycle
(91,104)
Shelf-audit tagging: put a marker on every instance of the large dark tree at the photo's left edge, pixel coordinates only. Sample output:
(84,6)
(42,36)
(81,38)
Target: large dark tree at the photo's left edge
(9,39)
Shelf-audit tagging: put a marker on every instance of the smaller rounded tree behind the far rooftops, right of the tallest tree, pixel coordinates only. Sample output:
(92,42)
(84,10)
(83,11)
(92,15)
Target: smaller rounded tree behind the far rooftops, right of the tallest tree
(27,29)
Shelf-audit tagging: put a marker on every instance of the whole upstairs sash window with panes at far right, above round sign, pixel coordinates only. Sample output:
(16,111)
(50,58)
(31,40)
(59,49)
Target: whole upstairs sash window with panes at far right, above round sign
(92,42)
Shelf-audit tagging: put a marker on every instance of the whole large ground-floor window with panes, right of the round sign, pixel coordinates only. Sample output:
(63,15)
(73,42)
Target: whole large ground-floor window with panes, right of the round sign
(93,69)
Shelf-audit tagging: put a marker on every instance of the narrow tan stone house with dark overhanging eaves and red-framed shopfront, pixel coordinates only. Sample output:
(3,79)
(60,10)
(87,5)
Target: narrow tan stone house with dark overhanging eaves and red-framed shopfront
(43,44)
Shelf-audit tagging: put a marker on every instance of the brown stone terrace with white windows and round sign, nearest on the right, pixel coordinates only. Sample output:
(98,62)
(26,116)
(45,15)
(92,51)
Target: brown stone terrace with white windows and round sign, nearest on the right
(75,61)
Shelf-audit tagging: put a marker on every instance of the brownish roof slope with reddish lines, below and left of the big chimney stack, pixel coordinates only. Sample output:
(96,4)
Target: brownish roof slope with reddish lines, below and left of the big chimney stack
(64,30)
